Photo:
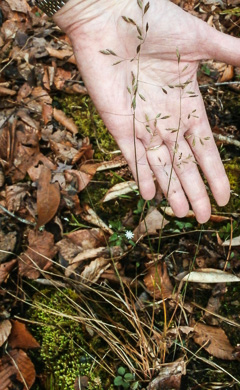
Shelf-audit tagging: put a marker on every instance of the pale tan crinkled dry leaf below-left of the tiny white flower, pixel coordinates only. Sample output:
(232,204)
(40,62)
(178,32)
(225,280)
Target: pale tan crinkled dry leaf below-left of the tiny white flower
(93,271)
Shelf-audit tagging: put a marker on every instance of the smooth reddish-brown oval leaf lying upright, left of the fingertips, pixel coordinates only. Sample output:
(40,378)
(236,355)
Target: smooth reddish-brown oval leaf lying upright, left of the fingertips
(48,197)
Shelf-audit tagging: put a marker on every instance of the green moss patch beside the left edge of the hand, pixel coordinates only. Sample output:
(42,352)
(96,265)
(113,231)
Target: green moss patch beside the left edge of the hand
(84,114)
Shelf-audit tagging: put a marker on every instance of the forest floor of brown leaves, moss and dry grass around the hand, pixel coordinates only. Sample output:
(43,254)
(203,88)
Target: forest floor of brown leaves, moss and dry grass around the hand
(98,288)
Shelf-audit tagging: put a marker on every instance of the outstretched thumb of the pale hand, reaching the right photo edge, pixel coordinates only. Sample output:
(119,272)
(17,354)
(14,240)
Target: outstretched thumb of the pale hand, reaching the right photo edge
(222,47)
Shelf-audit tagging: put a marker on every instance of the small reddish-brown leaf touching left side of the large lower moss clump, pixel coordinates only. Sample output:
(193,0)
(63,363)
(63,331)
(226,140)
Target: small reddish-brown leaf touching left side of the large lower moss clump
(20,337)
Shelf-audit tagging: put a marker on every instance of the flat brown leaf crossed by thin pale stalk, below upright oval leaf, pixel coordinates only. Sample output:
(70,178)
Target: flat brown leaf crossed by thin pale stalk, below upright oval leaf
(39,254)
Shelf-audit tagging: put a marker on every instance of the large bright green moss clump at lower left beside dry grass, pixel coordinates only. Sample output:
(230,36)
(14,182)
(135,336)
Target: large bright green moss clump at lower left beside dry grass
(63,341)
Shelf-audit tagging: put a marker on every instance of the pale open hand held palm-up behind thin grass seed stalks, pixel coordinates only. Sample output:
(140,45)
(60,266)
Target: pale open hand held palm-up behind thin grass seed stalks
(171,155)
